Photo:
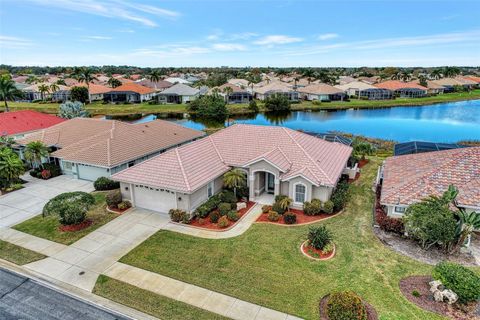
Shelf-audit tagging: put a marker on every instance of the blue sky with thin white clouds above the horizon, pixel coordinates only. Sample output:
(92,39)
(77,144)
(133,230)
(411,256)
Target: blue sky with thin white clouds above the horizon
(240,33)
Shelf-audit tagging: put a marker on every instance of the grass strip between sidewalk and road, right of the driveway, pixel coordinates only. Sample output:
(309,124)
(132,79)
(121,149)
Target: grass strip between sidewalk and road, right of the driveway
(148,302)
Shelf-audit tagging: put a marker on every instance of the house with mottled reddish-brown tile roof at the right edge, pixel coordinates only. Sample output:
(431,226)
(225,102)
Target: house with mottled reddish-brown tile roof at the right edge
(408,179)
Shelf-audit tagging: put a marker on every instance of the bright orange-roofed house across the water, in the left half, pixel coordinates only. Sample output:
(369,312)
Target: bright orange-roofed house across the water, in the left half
(129,92)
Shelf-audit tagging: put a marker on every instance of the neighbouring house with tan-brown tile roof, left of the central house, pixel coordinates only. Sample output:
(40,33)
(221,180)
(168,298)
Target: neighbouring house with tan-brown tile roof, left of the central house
(91,148)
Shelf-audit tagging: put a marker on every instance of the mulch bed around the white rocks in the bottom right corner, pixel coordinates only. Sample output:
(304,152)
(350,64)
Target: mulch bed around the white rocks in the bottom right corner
(426,301)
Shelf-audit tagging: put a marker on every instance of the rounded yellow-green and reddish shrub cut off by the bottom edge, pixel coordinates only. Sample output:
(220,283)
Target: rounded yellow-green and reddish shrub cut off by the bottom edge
(346,305)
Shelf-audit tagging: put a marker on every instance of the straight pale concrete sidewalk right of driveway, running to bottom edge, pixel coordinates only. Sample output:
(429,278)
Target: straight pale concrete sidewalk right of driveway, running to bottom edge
(202,298)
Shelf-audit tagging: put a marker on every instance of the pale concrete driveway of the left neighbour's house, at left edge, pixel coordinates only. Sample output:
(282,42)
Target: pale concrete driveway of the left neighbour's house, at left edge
(25,203)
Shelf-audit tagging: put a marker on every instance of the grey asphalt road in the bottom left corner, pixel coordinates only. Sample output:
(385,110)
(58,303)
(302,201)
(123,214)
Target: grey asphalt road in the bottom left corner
(25,299)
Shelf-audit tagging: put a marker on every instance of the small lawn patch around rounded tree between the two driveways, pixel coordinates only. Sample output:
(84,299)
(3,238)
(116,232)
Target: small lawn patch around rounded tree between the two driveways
(47,227)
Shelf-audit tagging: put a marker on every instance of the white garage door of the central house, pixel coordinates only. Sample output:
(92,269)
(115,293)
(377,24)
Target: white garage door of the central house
(154,199)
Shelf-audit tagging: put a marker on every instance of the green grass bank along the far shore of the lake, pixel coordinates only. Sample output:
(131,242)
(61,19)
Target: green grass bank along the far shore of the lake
(97,108)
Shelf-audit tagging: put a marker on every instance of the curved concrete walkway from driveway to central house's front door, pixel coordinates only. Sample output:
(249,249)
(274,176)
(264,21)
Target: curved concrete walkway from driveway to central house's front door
(238,229)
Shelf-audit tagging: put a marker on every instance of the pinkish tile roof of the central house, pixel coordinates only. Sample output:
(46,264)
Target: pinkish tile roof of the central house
(191,166)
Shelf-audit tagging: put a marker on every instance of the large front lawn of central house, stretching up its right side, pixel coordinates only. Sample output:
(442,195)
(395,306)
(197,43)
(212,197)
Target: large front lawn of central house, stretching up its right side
(265,265)
